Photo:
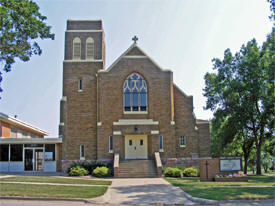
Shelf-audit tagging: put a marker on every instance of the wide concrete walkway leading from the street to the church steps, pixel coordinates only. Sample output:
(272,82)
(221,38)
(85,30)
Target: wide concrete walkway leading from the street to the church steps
(142,191)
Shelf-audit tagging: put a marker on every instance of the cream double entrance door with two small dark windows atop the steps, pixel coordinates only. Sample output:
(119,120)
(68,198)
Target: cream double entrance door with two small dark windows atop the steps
(136,147)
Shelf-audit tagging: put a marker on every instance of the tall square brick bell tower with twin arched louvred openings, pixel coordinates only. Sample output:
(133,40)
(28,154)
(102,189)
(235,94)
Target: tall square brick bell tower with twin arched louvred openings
(84,56)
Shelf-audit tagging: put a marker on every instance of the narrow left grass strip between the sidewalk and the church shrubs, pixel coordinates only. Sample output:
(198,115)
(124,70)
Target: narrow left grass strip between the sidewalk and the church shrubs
(60,180)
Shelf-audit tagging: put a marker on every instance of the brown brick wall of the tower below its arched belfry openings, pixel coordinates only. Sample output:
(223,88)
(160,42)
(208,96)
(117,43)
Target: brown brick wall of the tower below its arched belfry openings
(81,109)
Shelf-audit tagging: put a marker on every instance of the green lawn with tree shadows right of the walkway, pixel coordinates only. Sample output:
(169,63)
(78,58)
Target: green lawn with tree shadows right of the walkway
(228,190)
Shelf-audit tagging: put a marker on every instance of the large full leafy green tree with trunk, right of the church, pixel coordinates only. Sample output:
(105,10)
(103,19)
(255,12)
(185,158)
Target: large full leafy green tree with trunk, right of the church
(242,91)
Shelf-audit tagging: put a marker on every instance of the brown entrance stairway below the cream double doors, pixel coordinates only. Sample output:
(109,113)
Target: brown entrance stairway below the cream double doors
(137,168)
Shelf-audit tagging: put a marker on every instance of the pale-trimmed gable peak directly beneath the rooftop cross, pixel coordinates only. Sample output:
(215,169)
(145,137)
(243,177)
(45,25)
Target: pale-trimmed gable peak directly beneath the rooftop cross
(125,54)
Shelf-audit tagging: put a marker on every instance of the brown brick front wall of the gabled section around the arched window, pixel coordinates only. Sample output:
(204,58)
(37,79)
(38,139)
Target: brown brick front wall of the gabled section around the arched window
(110,93)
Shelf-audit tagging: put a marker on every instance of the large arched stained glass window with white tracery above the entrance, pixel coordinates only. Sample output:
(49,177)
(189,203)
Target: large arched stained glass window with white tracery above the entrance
(135,93)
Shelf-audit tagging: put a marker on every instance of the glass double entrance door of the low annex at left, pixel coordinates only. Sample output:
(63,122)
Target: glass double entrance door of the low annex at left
(33,159)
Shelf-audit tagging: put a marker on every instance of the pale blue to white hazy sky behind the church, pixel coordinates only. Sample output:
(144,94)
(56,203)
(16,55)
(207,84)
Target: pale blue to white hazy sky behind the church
(183,36)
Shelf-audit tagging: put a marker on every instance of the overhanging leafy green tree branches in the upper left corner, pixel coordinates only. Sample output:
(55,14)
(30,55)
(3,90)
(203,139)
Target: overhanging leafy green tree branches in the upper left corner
(21,24)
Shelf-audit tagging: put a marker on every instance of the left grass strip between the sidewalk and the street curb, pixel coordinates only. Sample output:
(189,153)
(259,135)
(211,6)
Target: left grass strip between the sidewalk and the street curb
(28,190)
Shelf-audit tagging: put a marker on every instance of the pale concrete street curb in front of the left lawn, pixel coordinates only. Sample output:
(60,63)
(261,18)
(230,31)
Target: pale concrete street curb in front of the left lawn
(43,198)
